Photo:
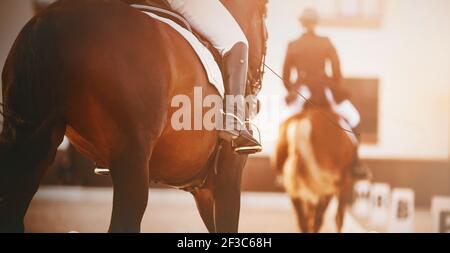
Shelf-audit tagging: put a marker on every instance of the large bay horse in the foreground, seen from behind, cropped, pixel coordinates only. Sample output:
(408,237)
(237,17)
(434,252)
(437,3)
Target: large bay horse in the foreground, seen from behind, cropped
(104,74)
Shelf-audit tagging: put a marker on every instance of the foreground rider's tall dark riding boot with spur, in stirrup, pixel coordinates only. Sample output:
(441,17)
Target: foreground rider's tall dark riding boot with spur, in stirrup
(235,80)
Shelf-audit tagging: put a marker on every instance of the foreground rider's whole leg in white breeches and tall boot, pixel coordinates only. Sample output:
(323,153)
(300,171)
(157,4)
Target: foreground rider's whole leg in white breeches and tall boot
(233,46)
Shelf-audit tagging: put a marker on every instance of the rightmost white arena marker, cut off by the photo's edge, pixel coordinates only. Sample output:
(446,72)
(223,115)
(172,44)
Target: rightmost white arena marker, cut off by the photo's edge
(440,212)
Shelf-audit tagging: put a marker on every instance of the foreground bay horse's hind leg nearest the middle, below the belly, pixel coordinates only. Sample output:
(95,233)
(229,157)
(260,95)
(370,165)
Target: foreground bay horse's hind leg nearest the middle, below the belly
(130,175)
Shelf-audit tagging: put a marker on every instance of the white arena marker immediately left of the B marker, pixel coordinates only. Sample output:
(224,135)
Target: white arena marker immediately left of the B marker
(380,205)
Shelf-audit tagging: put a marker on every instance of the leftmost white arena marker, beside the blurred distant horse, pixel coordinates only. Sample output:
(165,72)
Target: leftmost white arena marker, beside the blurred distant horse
(361,203)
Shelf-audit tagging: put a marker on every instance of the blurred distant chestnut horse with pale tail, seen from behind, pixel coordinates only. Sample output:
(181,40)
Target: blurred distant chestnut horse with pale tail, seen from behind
(314,156)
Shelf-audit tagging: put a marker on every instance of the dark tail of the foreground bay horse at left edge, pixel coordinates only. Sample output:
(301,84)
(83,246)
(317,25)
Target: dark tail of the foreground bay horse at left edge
(28,89)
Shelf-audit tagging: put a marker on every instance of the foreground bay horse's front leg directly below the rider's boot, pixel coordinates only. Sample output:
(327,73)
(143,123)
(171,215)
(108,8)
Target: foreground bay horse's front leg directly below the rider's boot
(226,189)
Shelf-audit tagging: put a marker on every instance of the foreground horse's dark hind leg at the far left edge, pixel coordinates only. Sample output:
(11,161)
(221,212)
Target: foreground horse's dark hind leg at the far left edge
(23,183)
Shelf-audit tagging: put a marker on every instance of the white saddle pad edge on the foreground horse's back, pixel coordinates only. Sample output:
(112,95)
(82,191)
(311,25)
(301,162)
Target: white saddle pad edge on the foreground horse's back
(210,65)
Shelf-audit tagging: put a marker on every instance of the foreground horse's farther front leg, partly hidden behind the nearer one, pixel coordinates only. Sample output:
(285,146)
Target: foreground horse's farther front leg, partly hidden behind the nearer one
(205,205)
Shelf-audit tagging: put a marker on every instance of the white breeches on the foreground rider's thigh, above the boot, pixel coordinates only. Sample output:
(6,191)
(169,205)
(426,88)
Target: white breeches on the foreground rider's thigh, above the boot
(212,20)
